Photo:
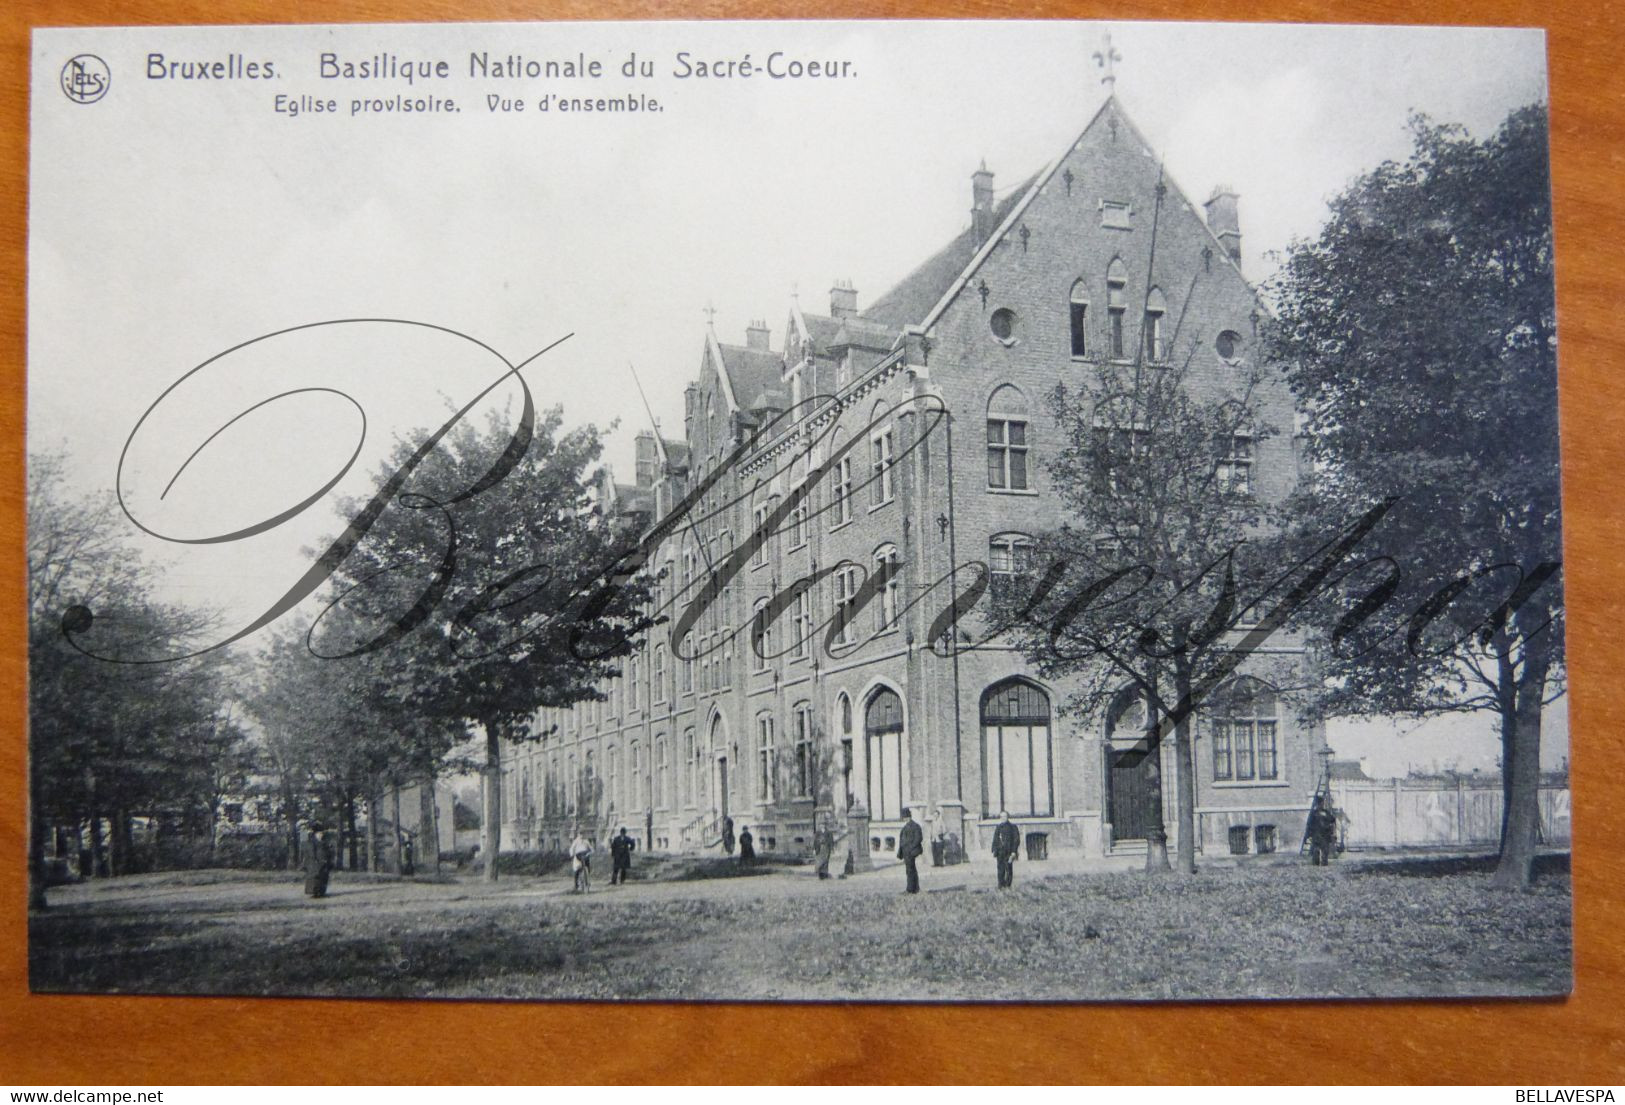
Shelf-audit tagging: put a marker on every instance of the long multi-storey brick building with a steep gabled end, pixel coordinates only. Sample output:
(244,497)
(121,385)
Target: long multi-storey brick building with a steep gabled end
(932,404)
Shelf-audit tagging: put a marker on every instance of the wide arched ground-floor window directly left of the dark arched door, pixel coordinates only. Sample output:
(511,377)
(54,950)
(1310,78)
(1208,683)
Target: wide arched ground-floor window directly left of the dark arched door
(1016,773)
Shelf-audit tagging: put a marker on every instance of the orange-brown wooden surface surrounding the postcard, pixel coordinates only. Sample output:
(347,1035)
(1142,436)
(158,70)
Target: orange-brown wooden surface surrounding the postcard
(76,1041)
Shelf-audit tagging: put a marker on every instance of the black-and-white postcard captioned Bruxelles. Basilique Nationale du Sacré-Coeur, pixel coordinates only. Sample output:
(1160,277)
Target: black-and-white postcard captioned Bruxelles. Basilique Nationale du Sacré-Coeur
(795,511)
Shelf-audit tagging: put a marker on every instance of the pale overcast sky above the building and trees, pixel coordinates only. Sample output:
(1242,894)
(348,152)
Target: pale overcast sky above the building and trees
(173,220)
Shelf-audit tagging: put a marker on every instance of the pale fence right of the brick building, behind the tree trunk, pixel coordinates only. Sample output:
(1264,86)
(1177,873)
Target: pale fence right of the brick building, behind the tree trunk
(1437,813)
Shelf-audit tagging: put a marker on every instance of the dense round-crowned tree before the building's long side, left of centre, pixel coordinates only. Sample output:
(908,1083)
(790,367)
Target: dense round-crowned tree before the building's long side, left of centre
(492,586)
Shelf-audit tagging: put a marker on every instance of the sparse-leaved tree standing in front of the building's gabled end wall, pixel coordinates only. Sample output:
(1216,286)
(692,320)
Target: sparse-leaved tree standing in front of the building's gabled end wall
(1142,587)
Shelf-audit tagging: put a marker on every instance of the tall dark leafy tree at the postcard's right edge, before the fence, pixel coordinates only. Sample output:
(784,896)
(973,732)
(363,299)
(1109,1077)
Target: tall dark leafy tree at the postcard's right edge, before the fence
(1421,332)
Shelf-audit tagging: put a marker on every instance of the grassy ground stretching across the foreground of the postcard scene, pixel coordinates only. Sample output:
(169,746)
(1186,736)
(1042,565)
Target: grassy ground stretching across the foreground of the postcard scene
(1356,930)
